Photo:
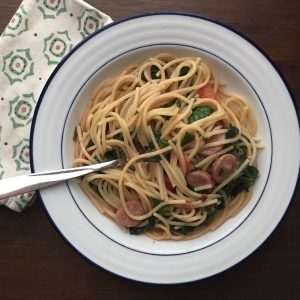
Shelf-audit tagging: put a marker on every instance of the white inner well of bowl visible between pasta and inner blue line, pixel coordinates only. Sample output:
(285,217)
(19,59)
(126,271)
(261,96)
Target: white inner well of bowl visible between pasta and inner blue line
(235,82)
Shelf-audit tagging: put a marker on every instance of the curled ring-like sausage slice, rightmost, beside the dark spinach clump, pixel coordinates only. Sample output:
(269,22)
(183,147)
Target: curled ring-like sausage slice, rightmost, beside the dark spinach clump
(224,167)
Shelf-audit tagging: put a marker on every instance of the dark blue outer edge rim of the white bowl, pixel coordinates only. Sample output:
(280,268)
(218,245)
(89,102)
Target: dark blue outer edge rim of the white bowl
(241,35)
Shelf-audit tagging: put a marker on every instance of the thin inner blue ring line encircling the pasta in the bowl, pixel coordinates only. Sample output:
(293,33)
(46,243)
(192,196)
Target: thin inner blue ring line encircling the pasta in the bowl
(194,48)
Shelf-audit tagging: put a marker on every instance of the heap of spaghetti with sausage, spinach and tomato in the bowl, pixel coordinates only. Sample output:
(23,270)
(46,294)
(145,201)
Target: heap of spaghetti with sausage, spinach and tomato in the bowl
(187,148)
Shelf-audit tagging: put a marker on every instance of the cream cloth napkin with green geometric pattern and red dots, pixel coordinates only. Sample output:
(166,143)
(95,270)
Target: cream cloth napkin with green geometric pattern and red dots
(37,37)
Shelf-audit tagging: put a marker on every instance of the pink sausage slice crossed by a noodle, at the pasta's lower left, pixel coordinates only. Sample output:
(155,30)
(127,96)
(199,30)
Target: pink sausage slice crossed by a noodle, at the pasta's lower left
(135,207)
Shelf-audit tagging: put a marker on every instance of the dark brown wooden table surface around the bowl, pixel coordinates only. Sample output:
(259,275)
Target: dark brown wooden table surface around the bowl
(35,263)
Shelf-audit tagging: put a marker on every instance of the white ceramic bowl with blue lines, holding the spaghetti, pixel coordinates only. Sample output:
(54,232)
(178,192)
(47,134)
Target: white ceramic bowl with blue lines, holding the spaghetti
(244,68)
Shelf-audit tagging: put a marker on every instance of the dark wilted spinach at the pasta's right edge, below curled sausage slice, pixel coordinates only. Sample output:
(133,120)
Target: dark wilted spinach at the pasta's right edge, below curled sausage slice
(243,182)
